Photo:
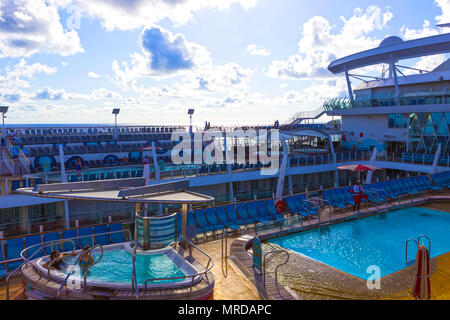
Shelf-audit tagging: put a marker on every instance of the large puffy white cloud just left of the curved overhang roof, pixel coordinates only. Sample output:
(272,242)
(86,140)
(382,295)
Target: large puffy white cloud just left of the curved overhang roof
(318,45)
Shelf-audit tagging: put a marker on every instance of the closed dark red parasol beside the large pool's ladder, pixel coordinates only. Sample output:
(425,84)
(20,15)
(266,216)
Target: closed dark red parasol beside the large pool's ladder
(421,286)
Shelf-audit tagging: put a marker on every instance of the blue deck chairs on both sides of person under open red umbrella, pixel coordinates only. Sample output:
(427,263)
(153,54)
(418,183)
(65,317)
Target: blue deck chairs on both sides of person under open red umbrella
(381,191)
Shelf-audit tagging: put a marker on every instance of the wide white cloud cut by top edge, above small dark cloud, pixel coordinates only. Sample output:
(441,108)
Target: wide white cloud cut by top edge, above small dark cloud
(127,15)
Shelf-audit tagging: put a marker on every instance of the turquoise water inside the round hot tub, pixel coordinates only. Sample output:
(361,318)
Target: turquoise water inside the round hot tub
(116,267)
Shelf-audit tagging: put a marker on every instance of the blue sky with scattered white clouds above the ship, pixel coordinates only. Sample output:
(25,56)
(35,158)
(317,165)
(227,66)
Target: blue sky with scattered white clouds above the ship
(233,61)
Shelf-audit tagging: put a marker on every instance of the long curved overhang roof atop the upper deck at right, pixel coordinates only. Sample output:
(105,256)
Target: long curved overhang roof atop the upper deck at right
(396,51)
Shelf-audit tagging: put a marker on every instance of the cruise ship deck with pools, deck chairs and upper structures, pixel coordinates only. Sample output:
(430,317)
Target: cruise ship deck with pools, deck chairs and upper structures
(241,212)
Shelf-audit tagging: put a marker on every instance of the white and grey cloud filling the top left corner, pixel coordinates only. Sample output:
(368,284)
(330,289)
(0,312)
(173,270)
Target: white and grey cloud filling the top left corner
(28,27)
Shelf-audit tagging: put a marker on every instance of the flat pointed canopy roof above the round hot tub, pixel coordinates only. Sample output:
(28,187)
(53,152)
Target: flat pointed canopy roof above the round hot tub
(120,190)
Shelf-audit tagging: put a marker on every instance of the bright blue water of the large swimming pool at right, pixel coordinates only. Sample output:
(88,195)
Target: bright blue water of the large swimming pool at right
(379,240)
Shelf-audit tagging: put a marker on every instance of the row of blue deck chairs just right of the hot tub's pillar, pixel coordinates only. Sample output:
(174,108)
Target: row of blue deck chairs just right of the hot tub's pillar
(242,216)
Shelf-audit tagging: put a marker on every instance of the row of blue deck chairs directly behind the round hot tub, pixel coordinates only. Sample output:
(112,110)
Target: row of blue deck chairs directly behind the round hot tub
(99,234)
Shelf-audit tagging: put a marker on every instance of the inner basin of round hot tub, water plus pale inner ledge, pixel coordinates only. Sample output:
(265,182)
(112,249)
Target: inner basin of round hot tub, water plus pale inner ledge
(115,268)
